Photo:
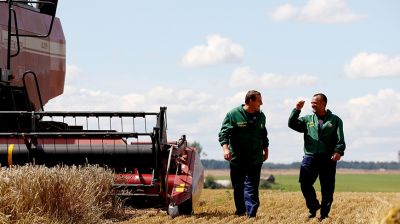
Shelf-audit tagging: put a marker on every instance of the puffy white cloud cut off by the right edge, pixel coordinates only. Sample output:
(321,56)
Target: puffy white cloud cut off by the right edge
(373,65)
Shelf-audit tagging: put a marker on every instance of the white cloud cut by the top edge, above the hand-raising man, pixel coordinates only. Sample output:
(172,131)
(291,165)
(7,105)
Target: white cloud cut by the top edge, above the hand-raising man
(320,11)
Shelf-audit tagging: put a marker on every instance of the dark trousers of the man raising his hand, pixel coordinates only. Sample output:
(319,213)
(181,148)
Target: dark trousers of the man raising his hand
(324,167)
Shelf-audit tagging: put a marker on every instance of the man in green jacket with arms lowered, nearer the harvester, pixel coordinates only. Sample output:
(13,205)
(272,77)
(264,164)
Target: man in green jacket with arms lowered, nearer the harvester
(244,140)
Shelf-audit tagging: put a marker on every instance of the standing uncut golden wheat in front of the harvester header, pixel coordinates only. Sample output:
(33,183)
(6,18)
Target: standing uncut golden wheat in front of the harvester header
(37,194)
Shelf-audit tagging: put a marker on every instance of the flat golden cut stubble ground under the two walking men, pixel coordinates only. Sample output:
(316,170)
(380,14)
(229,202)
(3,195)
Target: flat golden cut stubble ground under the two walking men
(217,206)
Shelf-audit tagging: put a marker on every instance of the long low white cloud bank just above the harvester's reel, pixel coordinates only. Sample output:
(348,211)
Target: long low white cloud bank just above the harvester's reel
(182,100)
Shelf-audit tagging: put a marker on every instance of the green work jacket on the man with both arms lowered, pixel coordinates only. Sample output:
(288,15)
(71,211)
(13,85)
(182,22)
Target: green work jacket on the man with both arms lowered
(246,139)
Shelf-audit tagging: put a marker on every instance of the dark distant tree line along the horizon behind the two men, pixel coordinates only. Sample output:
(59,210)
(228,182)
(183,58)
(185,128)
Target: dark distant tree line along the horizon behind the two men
(220,164)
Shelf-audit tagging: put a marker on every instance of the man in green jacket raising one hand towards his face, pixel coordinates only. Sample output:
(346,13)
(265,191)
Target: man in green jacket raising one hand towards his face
(324,145)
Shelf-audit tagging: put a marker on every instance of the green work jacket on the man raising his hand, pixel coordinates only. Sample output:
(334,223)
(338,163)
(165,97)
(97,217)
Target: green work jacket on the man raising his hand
(327,139)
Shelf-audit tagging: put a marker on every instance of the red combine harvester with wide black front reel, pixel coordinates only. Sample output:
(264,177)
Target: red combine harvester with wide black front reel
(149,170)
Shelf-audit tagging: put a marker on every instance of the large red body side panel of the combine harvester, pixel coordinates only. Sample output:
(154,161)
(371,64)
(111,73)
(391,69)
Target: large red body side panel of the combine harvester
(44,56)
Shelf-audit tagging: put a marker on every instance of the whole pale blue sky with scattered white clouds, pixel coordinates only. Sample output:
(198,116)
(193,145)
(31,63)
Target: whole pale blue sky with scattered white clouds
(199,58)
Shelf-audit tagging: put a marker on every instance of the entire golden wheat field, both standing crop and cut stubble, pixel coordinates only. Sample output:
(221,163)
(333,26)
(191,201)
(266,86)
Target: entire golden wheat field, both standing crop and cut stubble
(36,194)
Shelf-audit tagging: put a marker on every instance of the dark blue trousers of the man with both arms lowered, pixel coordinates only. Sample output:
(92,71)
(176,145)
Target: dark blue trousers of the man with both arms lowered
(245,181)
